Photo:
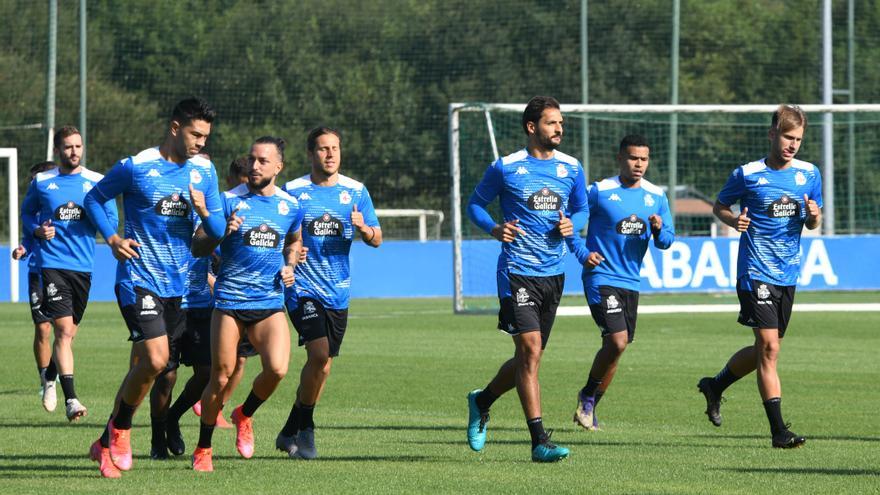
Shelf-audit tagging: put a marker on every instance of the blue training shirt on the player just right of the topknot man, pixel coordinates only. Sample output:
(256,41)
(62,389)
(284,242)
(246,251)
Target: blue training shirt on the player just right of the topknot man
(328,233)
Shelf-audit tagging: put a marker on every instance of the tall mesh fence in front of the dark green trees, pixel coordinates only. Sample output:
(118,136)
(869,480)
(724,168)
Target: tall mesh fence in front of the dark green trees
(385,71)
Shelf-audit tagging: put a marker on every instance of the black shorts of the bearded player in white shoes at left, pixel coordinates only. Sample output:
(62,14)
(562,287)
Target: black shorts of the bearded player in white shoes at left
(65,293)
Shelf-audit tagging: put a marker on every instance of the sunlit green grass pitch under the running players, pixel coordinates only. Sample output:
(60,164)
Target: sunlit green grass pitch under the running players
(392,418)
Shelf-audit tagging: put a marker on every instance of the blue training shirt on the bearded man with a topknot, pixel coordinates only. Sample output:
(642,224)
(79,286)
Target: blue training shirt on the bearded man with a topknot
(251,258)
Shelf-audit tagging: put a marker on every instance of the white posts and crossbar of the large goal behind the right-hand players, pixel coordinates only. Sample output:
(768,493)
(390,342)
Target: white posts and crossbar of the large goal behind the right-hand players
(455,110)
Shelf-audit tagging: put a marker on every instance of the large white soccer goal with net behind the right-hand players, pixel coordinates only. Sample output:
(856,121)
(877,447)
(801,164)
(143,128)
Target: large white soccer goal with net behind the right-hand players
(693,150)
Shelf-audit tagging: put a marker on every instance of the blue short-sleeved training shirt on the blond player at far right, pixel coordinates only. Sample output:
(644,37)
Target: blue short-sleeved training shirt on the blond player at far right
(769,250)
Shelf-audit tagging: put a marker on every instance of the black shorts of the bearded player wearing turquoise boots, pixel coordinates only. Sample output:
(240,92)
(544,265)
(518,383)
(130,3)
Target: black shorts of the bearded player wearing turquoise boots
(531,305)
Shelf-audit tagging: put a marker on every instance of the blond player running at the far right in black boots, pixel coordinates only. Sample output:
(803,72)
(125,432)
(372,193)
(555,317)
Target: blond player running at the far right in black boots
(778,196)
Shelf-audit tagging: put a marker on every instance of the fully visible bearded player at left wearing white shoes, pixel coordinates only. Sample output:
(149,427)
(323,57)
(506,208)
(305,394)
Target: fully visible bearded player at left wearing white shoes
(53,211)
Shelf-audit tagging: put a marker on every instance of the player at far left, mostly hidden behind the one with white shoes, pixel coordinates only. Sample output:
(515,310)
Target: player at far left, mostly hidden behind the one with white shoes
(30,250)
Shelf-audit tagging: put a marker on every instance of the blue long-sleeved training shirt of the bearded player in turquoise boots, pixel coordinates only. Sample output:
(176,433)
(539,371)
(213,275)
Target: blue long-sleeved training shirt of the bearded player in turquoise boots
(533,191)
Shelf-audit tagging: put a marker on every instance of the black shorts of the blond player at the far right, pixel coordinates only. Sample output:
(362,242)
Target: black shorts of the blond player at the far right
(765,305)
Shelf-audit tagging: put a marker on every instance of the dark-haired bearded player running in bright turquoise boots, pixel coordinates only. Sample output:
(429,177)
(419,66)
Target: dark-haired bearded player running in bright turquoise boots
(536,186)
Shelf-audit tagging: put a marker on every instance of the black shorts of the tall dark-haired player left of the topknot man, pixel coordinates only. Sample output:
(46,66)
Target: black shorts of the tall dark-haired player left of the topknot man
(152,316)
